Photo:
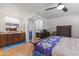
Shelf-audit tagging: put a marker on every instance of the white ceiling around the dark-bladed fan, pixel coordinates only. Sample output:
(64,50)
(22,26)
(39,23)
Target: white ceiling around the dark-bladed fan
(39,8)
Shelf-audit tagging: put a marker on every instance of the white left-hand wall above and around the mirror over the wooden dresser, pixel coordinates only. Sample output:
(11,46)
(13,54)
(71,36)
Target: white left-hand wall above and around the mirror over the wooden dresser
(13,10)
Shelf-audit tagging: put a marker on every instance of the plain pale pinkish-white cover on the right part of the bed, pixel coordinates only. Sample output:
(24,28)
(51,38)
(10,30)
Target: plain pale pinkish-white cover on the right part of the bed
(66,47)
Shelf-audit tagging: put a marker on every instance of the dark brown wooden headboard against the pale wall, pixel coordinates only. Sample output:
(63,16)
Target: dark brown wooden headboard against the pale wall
(64,31)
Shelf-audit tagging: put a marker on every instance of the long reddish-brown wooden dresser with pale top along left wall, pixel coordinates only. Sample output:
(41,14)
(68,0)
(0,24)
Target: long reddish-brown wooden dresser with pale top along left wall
(11,38)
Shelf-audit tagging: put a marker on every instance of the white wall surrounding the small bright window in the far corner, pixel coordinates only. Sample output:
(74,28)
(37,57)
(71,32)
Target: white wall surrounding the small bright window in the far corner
(32,26)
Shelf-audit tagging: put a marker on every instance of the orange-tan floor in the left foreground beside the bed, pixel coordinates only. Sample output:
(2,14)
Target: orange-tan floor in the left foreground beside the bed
(23,50)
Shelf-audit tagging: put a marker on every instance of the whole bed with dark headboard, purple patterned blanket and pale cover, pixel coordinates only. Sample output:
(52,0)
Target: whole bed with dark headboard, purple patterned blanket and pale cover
(60,45)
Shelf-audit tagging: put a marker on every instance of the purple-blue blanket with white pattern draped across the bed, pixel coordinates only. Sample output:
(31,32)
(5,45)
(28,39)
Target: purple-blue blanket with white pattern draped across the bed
(46,46)
